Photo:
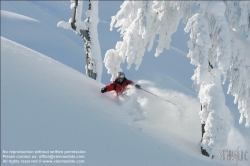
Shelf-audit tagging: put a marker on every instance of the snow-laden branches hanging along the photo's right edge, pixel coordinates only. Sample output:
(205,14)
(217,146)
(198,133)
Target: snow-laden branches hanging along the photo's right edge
(239,21)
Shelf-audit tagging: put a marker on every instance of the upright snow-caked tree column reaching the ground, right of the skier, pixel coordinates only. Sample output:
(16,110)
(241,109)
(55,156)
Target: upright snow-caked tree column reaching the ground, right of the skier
(209,50)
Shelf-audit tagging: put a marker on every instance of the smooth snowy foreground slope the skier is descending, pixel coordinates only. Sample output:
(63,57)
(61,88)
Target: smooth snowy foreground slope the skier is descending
(48,106)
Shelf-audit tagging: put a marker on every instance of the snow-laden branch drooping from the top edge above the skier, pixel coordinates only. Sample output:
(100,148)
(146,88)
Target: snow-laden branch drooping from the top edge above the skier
(139,22)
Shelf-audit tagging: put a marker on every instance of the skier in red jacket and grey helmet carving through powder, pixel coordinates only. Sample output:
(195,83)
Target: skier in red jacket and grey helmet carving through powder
(119,85)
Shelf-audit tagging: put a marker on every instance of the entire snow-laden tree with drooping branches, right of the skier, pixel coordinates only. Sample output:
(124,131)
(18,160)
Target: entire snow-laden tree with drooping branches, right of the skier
(214,48)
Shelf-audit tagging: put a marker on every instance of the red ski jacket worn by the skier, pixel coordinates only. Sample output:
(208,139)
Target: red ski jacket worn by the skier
(119,87)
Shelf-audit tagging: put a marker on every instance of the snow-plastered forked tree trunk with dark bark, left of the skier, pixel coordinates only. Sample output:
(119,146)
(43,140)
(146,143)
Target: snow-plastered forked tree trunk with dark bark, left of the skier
(88,31)
